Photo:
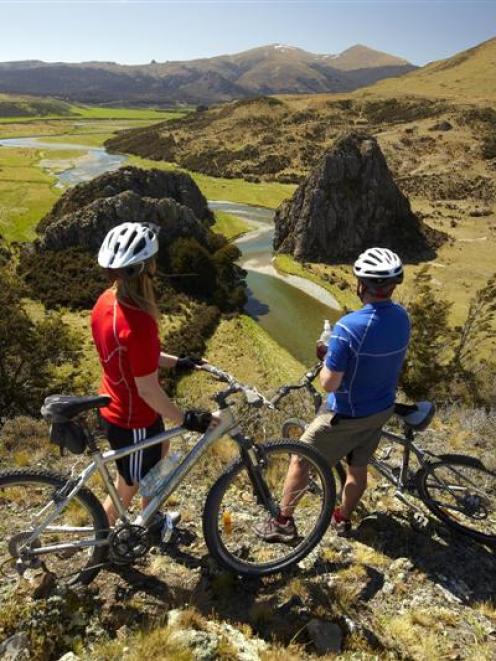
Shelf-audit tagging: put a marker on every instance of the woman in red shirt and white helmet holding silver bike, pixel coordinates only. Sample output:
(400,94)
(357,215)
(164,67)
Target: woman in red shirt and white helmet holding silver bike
(125,332)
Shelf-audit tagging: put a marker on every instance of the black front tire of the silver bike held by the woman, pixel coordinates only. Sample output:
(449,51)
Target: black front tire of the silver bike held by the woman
(215,497)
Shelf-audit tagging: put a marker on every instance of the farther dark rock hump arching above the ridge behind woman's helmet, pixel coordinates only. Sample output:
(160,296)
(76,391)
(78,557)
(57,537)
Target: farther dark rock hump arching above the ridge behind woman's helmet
(155,184)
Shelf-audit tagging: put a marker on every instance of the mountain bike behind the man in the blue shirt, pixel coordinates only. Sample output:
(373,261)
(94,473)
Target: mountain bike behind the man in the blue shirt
(458,489)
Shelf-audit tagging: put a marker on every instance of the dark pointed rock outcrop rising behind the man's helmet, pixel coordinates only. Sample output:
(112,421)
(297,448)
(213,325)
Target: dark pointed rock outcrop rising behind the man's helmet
(350,202)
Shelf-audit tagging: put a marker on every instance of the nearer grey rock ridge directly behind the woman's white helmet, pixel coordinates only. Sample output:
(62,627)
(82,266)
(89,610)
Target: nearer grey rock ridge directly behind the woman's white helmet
(86,228)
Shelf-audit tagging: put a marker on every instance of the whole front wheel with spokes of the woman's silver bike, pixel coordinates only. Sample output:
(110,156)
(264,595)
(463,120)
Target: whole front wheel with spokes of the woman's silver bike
(233,509)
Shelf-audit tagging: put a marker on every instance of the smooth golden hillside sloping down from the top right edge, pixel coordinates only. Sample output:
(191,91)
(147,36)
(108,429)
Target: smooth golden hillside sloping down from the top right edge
(467,76)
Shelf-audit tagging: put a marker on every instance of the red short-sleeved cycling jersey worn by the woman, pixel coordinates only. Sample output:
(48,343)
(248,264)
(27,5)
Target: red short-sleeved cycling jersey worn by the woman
(128,345)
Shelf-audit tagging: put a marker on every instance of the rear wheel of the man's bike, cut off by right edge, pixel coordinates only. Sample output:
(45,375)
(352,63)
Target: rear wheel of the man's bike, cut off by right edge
(462,493)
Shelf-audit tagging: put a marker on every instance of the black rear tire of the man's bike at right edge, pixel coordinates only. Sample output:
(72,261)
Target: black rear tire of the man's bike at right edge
(430,477)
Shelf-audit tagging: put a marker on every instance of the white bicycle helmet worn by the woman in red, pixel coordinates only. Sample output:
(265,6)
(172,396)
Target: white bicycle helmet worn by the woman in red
(126,245)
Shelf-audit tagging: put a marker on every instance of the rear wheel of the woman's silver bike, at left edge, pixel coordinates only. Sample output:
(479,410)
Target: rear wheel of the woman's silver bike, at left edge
(27,499)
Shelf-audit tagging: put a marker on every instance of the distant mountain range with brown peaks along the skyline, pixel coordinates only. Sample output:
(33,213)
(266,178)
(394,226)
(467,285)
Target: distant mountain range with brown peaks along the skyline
(272,69)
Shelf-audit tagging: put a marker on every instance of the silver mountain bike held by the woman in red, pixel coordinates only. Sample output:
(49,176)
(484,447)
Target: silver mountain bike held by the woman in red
(55,523)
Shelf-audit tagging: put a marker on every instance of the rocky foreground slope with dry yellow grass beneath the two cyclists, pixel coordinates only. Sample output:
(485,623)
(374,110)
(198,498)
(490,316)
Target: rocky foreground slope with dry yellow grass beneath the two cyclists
(394,592)
